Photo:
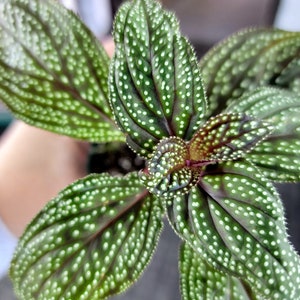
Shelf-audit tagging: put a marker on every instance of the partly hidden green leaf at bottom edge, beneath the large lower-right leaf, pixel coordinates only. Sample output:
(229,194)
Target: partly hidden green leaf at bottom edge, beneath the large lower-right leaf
(198,280)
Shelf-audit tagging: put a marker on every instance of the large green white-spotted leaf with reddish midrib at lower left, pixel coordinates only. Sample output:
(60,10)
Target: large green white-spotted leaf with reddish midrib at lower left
(90,242)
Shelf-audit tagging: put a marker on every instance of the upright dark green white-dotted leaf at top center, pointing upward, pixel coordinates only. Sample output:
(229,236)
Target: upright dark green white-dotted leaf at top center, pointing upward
(156,89)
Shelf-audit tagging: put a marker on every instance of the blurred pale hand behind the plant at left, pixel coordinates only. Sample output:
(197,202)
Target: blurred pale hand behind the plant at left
(34,166)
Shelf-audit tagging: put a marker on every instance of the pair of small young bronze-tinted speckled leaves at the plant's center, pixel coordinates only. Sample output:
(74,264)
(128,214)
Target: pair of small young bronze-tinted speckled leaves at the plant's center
(175,165)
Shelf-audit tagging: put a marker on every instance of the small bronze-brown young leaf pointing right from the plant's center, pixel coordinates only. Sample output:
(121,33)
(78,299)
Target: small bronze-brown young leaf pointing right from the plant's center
(227,137)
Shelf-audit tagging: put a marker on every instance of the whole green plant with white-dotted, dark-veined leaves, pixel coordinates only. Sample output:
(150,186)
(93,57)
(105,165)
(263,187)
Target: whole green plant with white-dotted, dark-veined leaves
(214,136)
